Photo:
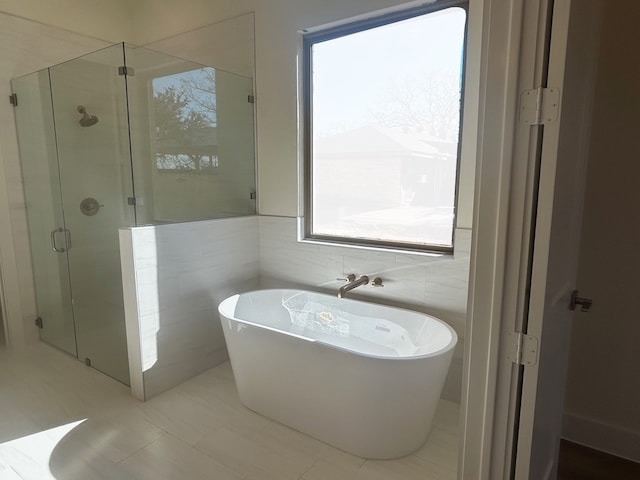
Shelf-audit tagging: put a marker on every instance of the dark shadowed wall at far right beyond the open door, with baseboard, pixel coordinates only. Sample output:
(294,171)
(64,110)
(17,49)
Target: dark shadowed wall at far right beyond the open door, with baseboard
(603,392)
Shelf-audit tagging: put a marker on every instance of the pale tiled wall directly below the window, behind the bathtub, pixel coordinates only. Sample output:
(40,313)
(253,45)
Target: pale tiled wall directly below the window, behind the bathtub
(436,285)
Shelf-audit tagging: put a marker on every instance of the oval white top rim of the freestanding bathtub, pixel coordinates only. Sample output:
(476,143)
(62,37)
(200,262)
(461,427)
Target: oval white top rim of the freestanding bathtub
(442,351)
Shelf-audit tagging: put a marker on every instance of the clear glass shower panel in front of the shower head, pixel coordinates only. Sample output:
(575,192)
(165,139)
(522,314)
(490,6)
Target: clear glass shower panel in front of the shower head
(92,134)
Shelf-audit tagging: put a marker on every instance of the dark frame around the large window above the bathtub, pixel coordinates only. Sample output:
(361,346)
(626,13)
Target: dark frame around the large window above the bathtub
(309,39)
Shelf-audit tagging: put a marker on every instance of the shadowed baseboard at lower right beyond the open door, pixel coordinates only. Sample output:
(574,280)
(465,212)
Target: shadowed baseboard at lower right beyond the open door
(605,437)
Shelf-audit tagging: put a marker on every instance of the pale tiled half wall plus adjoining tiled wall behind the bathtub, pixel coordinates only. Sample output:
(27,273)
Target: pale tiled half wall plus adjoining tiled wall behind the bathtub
(175,276)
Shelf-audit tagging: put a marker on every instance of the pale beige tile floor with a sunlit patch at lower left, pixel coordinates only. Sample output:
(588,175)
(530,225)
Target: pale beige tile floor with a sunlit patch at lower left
(62,420)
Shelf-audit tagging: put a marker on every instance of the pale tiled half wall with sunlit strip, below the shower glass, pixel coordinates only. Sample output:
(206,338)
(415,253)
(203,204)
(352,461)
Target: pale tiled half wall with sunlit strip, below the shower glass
(174,277)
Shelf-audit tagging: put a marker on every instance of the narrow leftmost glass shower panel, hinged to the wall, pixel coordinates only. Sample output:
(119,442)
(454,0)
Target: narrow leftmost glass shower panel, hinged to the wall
(36,136)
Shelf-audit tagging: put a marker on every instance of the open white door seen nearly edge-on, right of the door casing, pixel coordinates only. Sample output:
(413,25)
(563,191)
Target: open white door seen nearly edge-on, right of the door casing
(573,52)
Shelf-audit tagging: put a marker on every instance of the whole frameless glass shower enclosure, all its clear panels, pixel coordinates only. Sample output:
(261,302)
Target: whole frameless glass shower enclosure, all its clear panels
(124,136)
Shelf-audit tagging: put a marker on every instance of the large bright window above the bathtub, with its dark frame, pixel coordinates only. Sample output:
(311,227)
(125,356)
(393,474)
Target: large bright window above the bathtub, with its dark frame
(382,128)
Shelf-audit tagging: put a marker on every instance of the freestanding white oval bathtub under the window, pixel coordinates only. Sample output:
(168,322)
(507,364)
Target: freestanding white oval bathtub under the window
(364,378)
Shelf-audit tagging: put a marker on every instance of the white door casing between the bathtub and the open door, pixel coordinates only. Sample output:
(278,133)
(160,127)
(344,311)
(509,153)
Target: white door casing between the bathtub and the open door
(513,51)
